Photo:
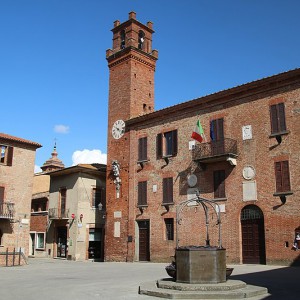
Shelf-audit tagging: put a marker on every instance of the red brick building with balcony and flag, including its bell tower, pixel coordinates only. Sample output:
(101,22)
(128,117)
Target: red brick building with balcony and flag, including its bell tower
(248,162)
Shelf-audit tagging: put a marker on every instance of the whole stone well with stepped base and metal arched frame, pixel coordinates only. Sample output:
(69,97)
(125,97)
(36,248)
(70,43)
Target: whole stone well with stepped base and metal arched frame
(199,272)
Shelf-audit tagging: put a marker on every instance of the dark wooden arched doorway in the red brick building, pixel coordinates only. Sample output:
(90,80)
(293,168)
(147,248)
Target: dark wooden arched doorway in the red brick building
(253,235)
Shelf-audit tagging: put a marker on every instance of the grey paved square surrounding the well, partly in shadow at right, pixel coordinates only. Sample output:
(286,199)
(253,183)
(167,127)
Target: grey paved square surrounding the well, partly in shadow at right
(49,279)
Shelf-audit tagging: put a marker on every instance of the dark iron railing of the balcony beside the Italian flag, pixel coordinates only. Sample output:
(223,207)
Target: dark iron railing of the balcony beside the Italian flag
(215,148)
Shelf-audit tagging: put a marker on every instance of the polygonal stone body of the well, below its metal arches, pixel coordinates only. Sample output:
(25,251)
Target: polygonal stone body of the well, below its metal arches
(200,265)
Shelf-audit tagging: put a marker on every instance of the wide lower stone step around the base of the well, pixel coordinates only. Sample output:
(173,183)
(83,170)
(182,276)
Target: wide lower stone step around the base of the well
(248,291)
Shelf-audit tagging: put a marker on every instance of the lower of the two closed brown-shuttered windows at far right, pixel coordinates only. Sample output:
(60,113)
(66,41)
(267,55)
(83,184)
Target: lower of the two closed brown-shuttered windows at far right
(282,176)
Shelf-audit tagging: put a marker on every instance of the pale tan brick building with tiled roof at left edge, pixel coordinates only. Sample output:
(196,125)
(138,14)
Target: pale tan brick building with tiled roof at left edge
(16,180)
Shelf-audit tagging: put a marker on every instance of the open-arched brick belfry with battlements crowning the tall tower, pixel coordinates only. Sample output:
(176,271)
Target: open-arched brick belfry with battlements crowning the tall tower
(132,34)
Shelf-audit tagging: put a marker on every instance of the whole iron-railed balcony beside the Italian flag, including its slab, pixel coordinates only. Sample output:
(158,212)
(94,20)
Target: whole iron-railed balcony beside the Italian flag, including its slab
(215,151)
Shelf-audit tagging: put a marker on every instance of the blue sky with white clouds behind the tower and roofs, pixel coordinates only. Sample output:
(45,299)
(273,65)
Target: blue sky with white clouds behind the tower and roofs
(54,75)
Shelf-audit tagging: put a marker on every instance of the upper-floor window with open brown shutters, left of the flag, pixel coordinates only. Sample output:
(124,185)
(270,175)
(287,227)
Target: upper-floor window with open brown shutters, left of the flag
(166,144)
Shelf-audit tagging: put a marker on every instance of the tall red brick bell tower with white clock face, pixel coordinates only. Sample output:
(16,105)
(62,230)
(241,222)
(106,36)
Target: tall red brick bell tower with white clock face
(131,63)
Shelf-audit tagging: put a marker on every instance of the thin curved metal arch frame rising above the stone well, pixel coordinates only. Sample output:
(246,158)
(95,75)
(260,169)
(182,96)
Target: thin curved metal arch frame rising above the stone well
(205,203)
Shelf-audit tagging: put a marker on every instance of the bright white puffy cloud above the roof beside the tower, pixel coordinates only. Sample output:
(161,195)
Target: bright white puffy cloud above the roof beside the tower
(89,157)
